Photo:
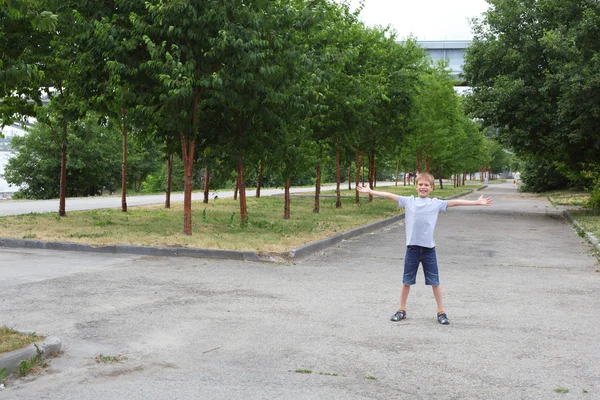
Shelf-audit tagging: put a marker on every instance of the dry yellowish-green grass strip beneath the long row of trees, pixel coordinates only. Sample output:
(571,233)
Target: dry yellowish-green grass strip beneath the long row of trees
(215,225)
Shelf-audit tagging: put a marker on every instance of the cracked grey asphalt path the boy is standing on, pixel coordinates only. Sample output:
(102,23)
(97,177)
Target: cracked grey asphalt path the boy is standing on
(521,290)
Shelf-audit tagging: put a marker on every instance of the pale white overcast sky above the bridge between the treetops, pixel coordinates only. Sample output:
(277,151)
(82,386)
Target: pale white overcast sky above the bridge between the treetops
(424,19)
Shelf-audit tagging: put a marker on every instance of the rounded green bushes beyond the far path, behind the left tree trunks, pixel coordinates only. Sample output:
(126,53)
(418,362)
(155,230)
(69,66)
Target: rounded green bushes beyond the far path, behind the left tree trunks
(93,165)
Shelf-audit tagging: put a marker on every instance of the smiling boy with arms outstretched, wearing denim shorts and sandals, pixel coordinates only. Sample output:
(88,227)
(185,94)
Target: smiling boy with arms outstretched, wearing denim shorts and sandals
(420,218)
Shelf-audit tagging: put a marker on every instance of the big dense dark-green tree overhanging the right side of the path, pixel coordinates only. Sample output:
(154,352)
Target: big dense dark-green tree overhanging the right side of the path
(535,71)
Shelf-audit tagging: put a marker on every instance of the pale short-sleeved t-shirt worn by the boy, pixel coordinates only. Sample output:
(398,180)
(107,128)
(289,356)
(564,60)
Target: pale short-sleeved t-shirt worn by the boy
(420,216)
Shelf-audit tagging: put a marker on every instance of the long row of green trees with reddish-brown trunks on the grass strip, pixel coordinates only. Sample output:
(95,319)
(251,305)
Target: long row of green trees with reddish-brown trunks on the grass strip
(278,85)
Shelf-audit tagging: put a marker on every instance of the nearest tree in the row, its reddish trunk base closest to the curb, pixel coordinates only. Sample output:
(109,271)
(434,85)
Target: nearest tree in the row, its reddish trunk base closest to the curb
(185,49)
